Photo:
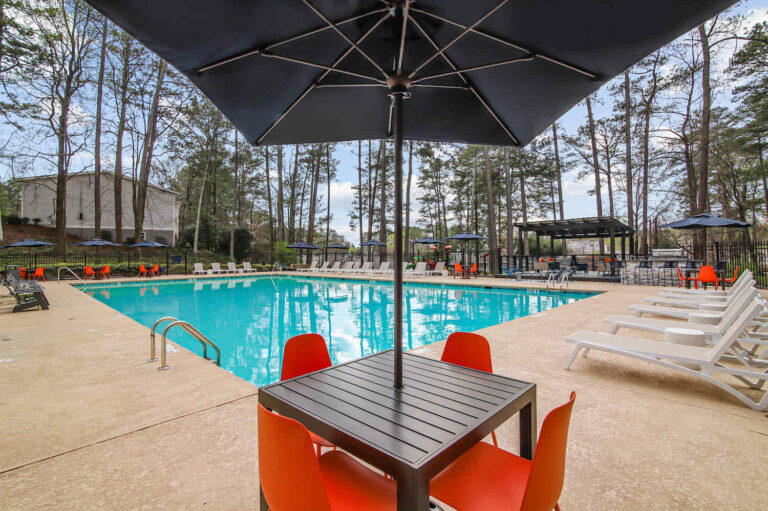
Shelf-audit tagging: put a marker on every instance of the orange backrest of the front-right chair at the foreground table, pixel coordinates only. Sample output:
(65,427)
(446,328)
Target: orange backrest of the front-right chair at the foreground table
(545,482)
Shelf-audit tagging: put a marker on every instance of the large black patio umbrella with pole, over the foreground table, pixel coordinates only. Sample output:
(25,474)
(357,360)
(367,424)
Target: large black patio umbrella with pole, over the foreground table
(483,72)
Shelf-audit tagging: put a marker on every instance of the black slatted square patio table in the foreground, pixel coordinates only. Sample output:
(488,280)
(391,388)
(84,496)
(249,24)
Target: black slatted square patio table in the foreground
(410,433)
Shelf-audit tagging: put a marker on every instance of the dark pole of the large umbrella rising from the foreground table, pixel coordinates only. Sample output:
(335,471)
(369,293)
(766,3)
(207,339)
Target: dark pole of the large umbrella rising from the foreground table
(397,95)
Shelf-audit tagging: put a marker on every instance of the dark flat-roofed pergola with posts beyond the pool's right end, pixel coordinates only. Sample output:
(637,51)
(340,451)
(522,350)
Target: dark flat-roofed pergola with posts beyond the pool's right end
(581,228)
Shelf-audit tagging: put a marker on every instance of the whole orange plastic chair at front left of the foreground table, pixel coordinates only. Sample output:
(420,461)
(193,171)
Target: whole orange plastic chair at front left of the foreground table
(293,478)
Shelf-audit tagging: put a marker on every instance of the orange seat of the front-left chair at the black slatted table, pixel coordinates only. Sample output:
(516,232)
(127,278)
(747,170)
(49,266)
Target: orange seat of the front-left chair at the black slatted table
(352,486)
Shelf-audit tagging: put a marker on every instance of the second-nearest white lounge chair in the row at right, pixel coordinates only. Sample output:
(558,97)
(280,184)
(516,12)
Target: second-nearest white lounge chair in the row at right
(714,332)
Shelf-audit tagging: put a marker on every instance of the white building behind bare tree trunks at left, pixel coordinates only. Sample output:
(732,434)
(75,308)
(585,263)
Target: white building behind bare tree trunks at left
(161,214)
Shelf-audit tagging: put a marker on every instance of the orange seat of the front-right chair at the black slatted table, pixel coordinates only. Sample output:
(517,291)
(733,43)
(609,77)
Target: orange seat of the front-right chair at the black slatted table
(466,483)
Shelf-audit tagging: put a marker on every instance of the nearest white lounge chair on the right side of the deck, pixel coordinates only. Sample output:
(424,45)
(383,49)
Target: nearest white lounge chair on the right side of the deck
(701,362)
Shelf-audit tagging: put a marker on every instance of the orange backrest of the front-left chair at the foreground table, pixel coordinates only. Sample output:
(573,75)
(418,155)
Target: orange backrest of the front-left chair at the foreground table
(289,472)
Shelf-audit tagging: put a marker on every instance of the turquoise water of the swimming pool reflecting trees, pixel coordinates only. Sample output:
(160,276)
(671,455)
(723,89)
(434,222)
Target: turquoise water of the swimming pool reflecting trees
(250,318)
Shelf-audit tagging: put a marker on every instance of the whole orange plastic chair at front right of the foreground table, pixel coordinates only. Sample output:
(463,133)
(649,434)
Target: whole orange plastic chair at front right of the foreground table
(487,477)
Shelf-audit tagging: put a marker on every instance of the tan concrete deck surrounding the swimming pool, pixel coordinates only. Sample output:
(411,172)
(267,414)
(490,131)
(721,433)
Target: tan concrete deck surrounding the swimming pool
(88,423)
